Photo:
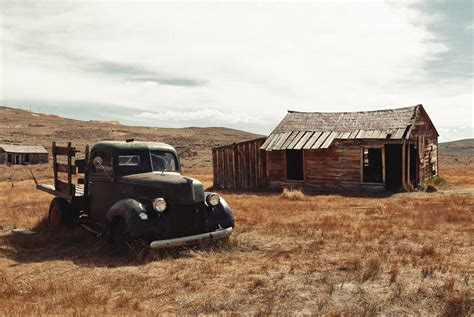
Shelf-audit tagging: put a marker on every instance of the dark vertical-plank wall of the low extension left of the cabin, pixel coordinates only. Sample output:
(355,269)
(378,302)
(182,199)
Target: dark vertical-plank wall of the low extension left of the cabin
(240,166)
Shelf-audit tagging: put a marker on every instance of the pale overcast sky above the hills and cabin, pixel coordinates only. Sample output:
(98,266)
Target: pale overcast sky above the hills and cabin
(239,65)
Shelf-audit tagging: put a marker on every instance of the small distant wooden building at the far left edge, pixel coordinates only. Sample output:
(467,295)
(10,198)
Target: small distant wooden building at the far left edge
(22,154)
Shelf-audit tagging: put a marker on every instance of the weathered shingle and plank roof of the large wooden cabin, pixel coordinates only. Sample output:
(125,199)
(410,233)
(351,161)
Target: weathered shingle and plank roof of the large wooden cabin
(317,130)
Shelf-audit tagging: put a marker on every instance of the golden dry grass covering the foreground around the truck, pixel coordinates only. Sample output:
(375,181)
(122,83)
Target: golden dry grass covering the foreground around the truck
(409,253)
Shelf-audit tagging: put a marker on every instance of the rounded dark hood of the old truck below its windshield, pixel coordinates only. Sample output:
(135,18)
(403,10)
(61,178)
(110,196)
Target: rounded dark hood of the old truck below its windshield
(172,187)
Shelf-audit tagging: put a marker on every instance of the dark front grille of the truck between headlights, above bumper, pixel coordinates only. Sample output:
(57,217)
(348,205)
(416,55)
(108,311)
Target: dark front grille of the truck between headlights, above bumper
(188,219)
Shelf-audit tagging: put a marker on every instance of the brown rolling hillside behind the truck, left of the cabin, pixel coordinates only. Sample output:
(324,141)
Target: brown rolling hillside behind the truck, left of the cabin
(23,127)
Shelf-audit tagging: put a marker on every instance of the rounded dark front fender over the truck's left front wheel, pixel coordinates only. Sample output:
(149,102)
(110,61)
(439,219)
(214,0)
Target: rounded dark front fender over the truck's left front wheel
(128,209)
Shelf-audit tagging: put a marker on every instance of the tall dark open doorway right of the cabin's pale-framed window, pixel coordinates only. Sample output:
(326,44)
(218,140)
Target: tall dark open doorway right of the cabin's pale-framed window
(393,166)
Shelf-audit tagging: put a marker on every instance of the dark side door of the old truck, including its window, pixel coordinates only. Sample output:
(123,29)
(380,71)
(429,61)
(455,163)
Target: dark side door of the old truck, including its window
(103,191)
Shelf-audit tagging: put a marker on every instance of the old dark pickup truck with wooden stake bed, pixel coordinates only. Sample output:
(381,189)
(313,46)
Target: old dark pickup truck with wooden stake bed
(133,191)
